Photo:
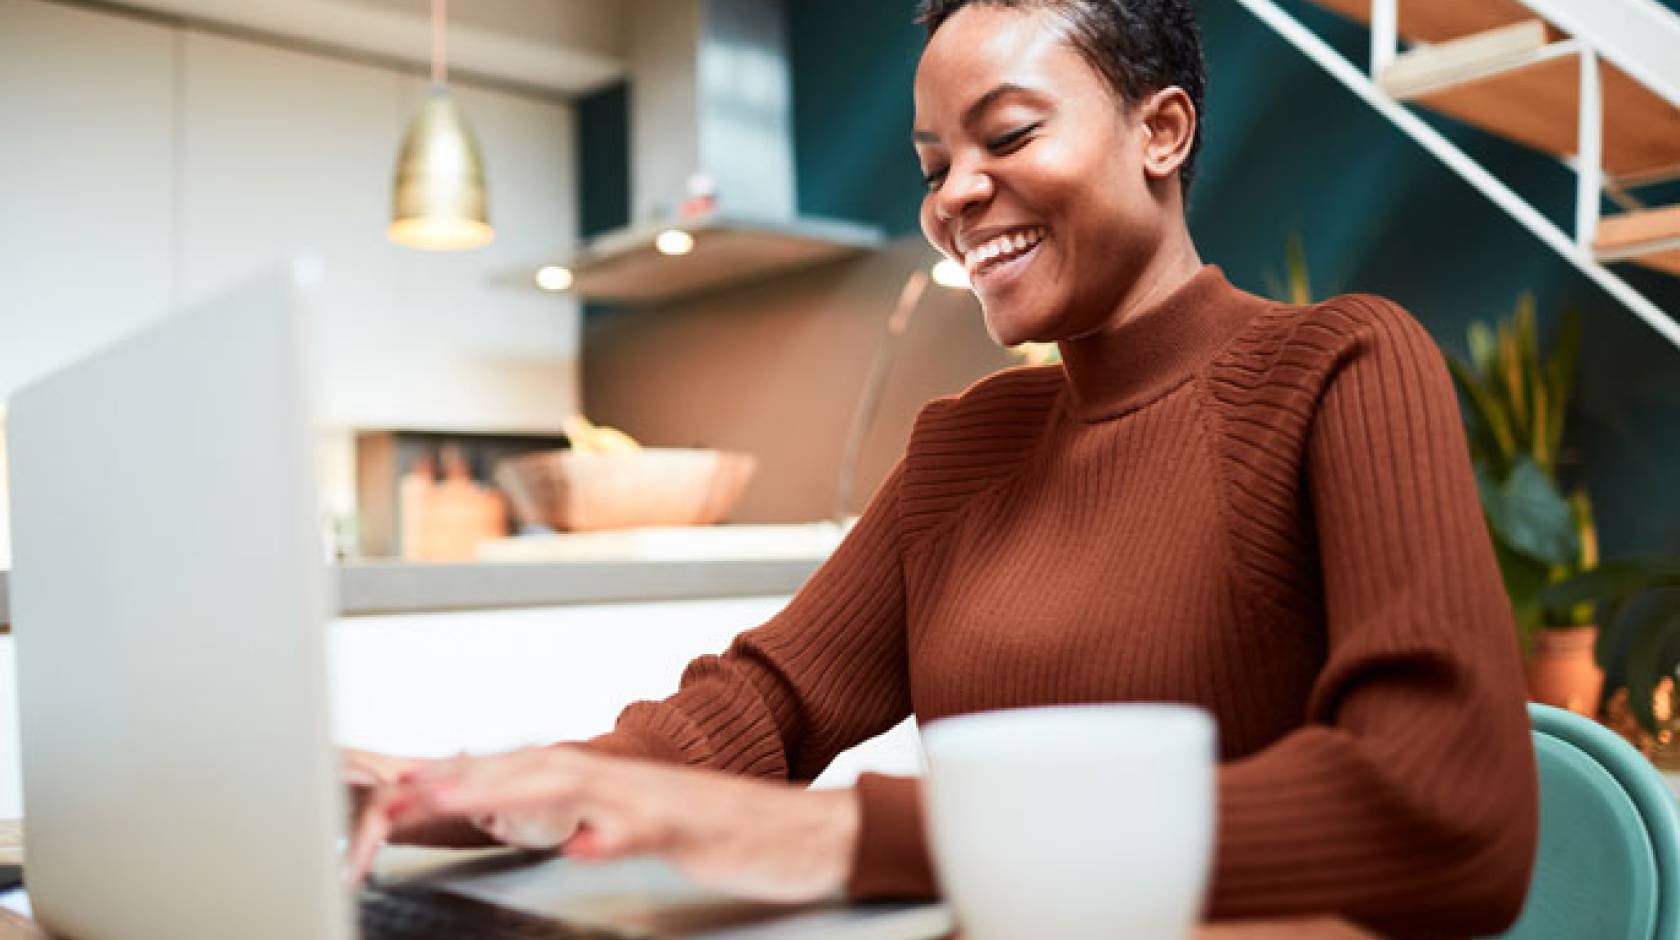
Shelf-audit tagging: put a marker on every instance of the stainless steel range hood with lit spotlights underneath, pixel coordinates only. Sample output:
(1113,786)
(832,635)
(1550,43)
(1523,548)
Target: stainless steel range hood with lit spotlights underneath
(711,100)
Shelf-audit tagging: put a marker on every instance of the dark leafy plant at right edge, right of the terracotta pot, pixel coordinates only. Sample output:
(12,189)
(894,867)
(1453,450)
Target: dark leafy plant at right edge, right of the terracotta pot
(1639,647)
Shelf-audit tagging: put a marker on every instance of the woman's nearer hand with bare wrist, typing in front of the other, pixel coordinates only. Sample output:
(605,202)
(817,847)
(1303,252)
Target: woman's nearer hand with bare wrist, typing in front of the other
(742,837)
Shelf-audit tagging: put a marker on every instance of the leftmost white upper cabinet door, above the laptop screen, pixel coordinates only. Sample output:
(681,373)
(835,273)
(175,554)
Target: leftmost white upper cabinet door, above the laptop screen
(87,209)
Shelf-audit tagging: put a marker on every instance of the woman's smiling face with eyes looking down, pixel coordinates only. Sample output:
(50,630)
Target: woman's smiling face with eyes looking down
(1036,174)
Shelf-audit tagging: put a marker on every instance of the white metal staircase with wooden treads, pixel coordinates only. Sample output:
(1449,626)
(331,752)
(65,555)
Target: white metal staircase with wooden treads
(1595,83)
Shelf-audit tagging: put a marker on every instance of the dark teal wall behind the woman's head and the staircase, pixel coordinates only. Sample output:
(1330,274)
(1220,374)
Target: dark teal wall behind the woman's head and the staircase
(1291,150)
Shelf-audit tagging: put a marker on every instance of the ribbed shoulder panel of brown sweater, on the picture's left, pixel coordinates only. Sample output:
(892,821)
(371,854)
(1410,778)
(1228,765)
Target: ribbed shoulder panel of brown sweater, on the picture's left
(970,442)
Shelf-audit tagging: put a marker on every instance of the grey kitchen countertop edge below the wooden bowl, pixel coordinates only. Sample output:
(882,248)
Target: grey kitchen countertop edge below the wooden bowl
(394,588)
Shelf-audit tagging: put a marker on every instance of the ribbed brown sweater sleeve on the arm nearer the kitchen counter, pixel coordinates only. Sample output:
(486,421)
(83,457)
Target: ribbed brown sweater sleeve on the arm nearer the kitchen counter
(827,672)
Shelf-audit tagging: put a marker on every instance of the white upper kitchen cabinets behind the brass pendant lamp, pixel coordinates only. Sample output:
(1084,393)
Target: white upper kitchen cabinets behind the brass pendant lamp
(155,165)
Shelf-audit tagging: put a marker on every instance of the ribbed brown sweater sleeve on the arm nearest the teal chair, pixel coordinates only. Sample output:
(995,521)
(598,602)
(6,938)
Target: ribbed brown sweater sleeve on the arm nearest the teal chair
(1409,798)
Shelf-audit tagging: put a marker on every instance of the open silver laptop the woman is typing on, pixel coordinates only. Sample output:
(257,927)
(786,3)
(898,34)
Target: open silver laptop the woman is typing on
(169,602)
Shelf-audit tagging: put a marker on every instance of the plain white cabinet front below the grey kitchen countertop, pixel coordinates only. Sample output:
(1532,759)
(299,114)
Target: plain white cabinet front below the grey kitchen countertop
(490,681)
